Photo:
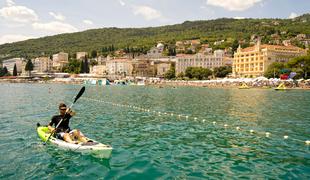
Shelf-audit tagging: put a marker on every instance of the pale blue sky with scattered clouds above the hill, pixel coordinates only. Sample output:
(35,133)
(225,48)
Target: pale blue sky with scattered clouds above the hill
(26,19)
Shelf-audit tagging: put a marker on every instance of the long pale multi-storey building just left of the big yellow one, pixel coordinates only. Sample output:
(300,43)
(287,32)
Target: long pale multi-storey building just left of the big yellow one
(199,60)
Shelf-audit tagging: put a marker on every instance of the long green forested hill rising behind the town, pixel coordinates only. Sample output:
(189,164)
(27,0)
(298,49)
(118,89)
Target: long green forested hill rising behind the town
(206,31)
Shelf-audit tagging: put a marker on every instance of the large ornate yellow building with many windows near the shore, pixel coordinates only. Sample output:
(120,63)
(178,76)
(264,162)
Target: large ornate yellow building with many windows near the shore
(254,61)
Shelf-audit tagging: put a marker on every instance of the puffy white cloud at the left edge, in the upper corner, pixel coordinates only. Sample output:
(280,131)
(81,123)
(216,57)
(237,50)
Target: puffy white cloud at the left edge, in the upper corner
(19,14)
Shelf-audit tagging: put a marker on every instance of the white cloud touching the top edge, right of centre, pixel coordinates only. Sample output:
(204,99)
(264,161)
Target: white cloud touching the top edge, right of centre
(233,5)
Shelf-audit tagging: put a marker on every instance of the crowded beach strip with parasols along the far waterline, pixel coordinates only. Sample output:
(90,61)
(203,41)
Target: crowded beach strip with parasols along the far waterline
(260,82)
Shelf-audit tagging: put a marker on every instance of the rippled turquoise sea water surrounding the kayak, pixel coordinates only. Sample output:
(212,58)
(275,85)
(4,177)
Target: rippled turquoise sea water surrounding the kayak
(153,145)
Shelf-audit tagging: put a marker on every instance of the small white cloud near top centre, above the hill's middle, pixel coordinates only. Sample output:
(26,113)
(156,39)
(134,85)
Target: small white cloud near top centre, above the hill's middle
(147,12)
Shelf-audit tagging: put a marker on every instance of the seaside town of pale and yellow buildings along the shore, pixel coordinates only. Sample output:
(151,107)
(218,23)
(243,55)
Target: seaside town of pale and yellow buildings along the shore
(248,64)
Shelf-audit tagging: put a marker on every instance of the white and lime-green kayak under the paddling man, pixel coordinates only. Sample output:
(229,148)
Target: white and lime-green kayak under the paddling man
(93,147)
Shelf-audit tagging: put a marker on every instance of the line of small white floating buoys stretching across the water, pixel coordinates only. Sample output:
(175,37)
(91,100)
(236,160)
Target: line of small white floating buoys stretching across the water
(187,117)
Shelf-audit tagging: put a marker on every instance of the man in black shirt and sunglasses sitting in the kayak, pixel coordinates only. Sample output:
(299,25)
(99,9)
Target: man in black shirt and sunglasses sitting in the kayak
(63,131)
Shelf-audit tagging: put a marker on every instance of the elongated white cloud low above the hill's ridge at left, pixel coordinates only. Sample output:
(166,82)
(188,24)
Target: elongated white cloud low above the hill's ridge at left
(55,27)
